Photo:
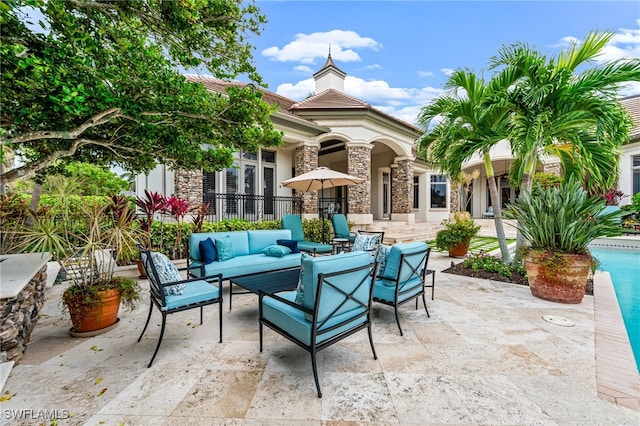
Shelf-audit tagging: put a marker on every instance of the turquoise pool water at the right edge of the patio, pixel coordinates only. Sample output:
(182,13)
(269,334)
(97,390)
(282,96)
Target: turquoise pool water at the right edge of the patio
(624,268)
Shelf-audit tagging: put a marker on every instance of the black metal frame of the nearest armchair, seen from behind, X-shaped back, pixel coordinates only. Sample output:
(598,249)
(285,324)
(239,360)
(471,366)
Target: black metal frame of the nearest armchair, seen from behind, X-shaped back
(316,330)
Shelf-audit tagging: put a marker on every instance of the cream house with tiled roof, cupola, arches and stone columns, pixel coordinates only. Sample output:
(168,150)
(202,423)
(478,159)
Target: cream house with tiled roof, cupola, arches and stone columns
(330,129)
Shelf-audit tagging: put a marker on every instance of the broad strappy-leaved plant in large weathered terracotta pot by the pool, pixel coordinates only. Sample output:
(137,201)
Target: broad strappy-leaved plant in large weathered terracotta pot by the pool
(558,224)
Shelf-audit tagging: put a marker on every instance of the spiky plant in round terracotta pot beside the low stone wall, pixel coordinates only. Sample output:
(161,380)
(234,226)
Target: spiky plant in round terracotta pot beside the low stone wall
(88,238)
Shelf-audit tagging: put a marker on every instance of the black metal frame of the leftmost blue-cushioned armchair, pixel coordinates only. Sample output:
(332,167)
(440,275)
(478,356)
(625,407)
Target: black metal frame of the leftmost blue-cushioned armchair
(158,298)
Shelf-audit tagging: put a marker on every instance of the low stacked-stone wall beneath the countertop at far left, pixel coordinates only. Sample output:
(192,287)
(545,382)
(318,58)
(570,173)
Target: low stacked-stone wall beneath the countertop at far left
(19,317)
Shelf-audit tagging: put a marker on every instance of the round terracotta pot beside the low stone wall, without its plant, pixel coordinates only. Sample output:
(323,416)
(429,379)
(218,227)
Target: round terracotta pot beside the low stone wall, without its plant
(93,316)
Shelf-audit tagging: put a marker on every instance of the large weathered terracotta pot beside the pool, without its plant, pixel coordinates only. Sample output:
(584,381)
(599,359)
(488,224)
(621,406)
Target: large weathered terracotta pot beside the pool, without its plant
(558,277)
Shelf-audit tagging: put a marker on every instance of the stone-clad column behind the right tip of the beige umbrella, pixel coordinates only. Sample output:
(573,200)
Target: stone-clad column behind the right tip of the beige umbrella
(359,165)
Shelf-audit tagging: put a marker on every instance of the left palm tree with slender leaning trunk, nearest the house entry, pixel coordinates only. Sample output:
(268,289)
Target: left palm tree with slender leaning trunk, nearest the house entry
(470,122)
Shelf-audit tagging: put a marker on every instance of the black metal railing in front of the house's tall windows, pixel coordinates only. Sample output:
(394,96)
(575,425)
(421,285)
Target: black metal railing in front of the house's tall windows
(250,207)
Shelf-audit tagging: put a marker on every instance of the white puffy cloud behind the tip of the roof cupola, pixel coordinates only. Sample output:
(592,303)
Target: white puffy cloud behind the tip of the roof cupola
(306,48)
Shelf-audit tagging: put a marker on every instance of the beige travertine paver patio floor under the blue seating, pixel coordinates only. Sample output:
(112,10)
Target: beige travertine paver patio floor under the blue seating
(485,356)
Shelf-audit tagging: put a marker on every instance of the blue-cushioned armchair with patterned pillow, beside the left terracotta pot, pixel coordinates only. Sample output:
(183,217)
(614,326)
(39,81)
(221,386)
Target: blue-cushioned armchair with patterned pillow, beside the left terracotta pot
(170,293)
